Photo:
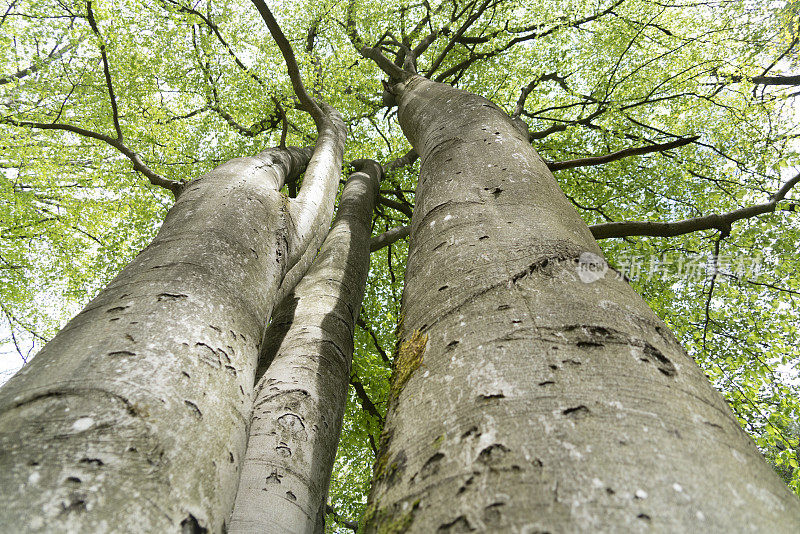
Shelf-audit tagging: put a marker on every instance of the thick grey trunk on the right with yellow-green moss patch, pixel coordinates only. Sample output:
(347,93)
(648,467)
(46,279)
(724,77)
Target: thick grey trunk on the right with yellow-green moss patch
(532,391)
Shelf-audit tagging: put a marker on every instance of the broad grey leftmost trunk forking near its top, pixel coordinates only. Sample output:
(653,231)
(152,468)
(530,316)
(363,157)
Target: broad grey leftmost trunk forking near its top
(133,417)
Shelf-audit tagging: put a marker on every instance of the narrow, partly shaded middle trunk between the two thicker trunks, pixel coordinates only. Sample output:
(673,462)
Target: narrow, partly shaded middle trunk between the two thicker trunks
(301,394)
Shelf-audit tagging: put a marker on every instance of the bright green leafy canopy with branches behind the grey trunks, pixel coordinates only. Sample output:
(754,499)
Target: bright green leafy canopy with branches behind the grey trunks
(646,110)
